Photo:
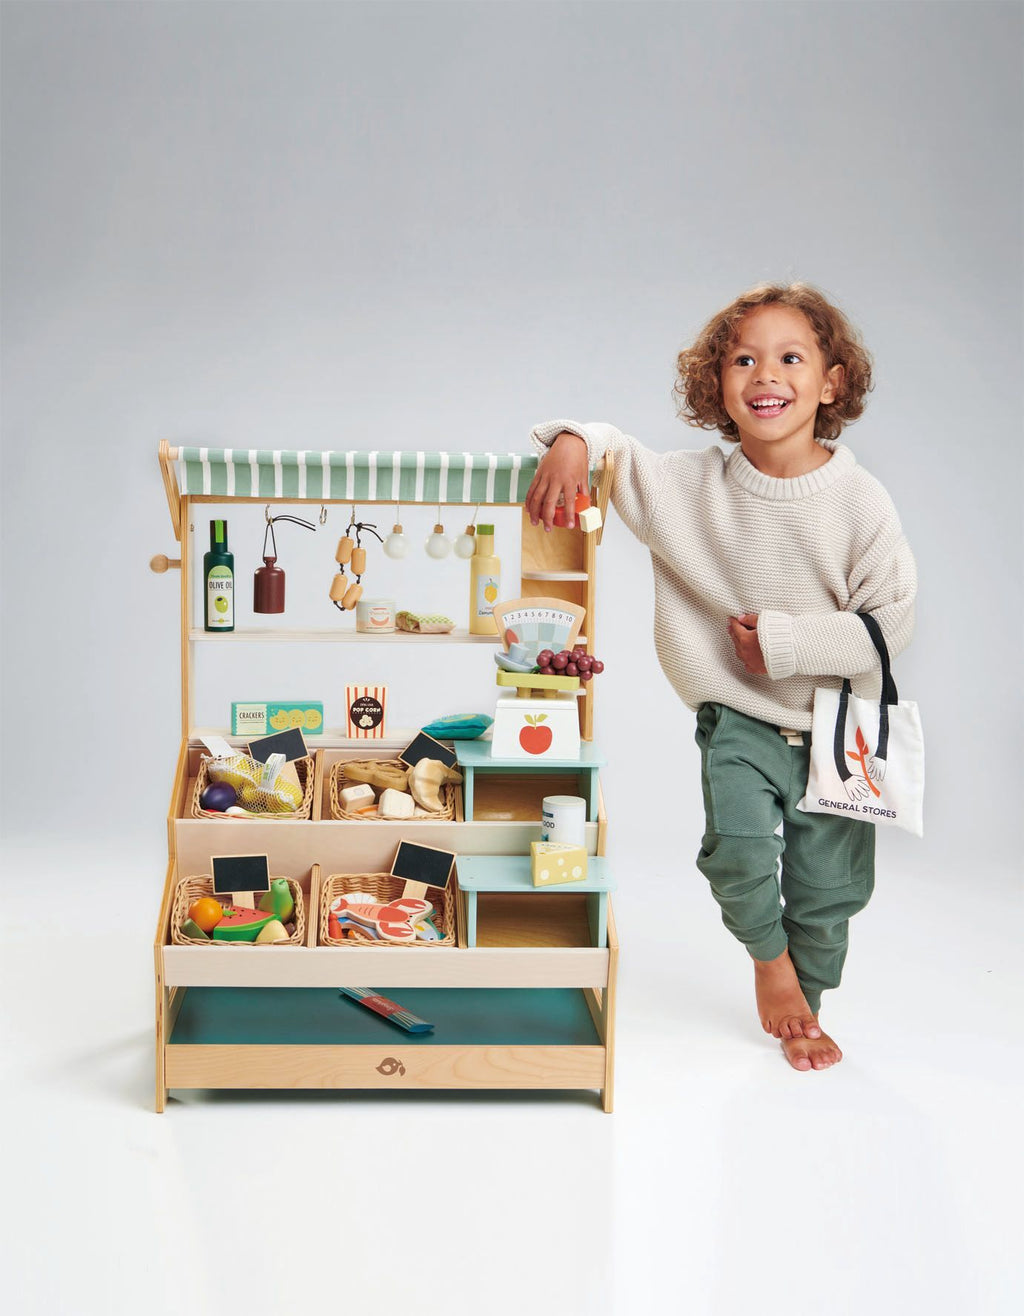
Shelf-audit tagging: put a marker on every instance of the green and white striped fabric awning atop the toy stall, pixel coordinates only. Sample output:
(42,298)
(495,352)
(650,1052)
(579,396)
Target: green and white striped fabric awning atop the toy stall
(499,478)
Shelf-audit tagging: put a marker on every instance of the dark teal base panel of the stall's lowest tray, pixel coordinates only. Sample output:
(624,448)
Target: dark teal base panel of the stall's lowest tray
(318,1017)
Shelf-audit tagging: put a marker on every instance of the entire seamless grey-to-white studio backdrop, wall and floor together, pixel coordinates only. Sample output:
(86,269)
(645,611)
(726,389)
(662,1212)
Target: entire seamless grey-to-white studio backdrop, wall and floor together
(431,226)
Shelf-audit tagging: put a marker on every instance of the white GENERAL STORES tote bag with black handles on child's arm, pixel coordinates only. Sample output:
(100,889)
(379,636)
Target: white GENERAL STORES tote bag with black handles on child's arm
(868,759)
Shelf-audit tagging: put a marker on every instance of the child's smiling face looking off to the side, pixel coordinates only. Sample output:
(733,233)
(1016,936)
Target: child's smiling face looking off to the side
(775,380)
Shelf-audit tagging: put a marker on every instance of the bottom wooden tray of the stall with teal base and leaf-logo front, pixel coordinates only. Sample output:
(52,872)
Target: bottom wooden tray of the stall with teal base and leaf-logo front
(307,1039)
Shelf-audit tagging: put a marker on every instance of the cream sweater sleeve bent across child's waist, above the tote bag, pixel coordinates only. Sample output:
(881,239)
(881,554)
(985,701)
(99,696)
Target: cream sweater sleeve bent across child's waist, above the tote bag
(836,644)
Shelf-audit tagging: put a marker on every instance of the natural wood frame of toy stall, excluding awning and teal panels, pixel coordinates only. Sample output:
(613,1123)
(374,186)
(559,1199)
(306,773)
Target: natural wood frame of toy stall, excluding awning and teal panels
(320,846)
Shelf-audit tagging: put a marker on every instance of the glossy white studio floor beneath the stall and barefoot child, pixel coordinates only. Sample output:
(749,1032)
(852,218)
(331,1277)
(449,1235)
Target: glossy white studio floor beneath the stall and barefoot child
(725,1184)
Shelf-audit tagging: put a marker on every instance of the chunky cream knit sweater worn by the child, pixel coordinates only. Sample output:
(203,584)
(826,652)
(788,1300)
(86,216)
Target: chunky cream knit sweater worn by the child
(805,555)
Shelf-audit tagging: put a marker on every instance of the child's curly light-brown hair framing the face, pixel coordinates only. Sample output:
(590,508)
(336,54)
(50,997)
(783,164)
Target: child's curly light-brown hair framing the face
(698,388)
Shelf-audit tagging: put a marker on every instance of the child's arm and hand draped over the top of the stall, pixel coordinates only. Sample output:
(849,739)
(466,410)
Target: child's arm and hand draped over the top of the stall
(639,473)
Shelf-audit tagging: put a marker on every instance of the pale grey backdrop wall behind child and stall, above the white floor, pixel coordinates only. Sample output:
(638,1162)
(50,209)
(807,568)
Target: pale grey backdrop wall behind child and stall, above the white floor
(431,226)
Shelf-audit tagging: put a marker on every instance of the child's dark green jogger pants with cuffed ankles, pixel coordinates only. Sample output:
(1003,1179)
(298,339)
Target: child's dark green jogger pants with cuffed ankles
(752,781)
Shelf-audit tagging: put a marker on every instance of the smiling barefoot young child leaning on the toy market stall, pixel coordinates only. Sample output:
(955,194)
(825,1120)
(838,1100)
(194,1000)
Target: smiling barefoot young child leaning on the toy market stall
(763,557)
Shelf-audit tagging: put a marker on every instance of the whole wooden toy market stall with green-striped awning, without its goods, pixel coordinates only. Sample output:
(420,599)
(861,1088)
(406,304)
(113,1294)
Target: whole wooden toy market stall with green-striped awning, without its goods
(531,1003)
